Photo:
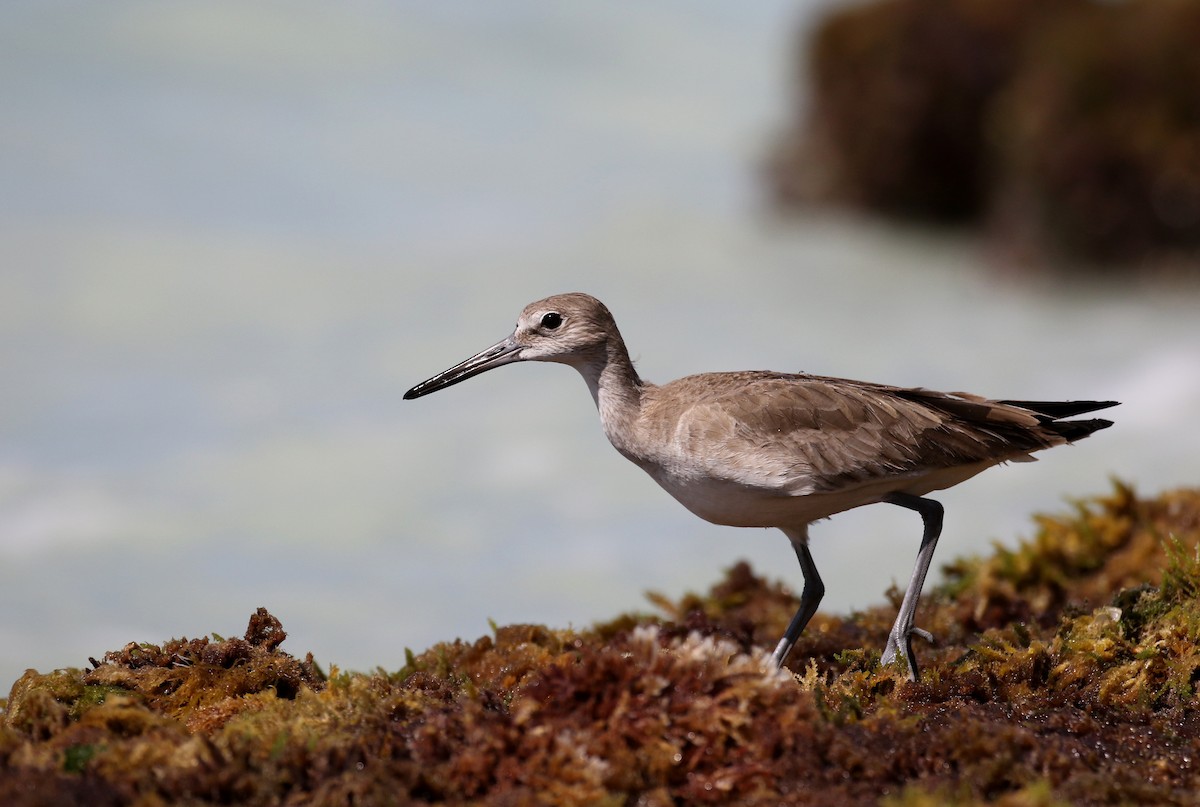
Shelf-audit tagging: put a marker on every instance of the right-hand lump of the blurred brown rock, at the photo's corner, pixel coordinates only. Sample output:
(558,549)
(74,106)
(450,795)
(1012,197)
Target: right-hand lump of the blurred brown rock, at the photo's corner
(1097,135)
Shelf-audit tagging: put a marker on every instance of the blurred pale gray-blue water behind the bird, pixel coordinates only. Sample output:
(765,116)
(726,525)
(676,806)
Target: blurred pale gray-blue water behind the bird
(233,235)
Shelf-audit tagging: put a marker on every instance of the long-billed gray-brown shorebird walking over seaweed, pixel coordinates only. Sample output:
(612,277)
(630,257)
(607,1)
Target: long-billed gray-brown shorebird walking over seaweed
(778,450)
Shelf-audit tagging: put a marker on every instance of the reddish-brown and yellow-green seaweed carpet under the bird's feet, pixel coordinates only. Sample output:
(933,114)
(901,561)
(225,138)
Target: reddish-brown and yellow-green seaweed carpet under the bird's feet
(1066,672)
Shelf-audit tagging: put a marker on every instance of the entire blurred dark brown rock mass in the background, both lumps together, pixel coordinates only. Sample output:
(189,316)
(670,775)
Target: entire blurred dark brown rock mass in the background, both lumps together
(1070,129)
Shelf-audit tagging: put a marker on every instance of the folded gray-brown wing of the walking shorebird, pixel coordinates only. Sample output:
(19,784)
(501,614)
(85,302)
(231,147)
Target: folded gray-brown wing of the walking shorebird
(809,434)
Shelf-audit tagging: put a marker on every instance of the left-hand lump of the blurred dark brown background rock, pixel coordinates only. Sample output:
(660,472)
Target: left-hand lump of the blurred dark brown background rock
(893,103)
